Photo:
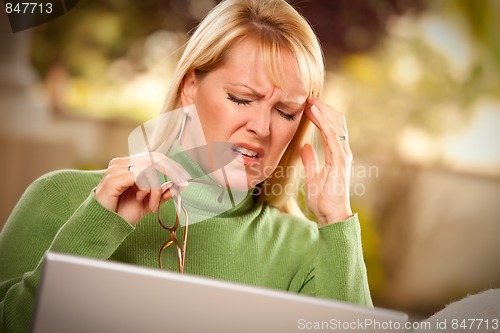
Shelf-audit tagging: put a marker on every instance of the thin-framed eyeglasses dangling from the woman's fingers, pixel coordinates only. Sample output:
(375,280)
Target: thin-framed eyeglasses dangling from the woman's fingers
(181,250)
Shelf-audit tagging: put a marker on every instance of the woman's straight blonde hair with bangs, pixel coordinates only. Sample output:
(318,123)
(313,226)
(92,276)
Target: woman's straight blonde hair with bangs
(275,25)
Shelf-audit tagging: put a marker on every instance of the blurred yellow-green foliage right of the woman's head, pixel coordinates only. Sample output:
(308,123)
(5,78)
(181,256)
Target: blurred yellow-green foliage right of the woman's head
(426,76)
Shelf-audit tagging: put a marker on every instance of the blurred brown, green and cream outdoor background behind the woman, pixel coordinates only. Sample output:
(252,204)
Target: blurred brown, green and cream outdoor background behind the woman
(418,80)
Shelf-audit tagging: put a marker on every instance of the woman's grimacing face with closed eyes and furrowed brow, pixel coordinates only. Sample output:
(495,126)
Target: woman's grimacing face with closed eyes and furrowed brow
(239,104)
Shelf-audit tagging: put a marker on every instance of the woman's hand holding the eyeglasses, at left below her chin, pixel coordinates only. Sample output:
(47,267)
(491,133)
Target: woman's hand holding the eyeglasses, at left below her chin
(131,186)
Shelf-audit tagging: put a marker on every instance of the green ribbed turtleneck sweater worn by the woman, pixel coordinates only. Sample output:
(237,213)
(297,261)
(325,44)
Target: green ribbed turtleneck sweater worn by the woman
(252,243)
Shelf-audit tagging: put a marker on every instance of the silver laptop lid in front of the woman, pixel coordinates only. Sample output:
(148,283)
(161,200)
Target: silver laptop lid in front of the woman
(85,295)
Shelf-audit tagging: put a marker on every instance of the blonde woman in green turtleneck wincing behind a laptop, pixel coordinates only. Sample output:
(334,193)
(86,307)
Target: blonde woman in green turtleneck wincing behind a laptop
(253,71)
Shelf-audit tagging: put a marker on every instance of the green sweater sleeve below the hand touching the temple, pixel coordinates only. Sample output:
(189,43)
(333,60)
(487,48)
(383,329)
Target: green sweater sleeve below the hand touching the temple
(338,270)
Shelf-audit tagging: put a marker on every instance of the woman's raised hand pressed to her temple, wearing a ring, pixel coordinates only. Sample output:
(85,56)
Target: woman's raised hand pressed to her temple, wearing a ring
(328,187)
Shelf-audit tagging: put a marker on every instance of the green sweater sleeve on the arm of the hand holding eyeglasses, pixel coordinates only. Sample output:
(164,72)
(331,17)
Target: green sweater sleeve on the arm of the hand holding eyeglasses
(46,218)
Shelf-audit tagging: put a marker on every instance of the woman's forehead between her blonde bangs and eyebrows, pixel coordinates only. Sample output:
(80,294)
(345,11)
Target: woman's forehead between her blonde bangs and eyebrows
(248,64)
